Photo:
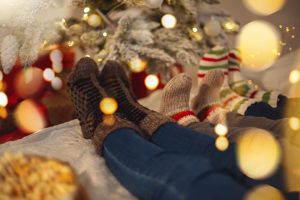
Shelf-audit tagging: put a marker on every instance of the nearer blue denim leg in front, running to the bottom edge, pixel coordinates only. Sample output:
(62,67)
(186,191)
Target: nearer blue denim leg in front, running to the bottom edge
(149,172)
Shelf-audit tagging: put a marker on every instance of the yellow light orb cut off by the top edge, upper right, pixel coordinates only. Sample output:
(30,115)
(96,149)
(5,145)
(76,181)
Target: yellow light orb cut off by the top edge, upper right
(264,7)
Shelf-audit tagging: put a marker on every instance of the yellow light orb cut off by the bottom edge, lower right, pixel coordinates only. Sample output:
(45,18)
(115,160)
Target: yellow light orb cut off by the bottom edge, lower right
(264,192)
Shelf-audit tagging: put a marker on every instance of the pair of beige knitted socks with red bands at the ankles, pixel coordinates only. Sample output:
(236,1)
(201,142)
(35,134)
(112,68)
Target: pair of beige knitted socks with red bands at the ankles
(175,101)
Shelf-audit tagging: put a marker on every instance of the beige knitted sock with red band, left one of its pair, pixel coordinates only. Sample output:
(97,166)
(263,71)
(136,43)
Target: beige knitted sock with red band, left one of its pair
(175,100)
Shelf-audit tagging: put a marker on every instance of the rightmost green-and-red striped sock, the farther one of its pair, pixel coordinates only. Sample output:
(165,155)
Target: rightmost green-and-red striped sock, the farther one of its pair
(241,87)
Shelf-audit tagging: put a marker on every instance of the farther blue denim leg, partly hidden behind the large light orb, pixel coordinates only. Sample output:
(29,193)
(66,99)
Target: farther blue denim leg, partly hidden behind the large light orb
(176,138)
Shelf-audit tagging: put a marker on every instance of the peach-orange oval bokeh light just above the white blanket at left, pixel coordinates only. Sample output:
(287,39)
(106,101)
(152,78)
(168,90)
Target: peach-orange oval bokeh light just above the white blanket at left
(29,118)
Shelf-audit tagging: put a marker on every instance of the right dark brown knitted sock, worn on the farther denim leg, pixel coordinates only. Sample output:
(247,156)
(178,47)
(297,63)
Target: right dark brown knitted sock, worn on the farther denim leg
(114,80)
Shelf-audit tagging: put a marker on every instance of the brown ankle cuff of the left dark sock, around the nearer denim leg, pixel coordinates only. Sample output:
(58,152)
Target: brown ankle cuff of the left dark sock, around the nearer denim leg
(104,129)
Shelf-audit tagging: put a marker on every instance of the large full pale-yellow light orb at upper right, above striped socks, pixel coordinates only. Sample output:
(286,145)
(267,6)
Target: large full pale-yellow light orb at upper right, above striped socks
(259,45)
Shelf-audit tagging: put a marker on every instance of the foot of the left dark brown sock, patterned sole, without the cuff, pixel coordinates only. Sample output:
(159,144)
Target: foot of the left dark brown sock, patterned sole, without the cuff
(85,96)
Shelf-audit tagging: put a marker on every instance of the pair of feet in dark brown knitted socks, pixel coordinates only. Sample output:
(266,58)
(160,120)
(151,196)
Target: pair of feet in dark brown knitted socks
(87,87)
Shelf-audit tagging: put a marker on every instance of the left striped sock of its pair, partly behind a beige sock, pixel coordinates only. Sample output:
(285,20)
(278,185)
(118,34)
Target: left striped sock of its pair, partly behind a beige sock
(217,58)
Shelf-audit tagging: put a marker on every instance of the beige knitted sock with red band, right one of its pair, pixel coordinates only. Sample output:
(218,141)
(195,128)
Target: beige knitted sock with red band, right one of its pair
(207,102)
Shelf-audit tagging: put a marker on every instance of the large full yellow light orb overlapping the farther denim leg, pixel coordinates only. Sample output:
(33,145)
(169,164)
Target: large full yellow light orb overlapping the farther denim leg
(258,153)
